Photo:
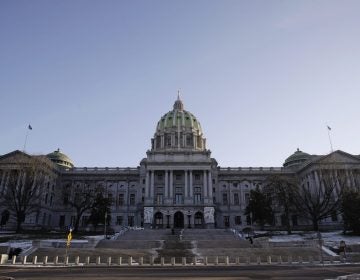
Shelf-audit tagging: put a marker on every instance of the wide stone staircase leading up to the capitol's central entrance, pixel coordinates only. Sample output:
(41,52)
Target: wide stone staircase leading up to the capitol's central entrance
(164,244)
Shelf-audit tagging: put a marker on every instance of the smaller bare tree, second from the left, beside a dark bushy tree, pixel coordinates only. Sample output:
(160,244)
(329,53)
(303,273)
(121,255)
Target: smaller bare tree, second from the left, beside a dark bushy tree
(81,198)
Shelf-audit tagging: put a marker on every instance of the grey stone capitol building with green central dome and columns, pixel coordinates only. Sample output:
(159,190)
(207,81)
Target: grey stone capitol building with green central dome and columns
(177,185)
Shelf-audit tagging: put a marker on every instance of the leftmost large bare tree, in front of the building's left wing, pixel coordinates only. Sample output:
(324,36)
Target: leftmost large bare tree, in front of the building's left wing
(23,192)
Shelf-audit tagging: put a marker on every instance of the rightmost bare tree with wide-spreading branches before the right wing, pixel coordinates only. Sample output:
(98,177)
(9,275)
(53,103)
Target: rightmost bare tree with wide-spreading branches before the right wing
(320,198)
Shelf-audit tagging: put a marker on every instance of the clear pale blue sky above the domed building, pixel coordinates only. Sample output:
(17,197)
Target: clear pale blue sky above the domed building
(264,78)
